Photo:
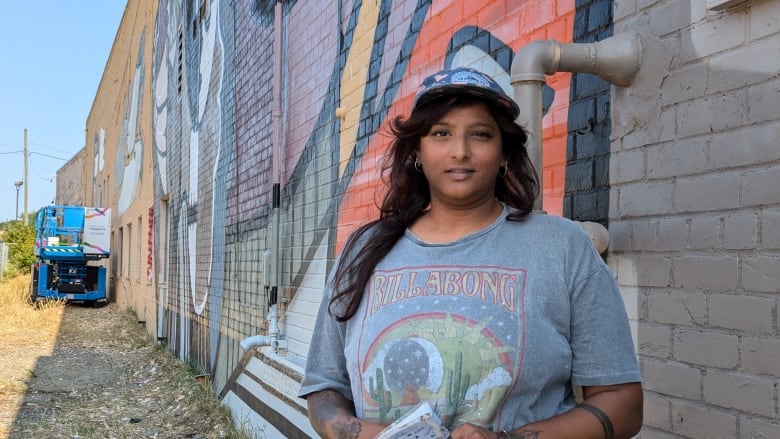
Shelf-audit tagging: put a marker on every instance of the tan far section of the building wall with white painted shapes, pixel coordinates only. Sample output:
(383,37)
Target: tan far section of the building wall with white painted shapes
(117,168)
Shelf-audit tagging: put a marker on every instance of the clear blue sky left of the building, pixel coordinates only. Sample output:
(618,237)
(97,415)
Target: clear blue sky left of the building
(52,56)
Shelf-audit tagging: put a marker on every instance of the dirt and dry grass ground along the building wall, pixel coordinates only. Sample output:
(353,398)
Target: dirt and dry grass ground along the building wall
(101,376)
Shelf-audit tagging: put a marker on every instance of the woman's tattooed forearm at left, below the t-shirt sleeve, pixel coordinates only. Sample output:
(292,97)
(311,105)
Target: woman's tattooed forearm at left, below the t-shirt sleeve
(333,416)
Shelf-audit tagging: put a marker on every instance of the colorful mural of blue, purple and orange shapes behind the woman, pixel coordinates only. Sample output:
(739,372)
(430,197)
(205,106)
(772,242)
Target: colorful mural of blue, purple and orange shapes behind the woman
(347,69)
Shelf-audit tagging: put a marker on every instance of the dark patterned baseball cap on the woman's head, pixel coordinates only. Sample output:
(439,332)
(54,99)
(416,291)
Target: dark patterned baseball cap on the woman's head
(464,80)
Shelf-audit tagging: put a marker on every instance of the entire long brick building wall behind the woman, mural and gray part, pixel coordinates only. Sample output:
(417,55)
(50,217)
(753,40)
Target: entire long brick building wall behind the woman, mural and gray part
(244,145)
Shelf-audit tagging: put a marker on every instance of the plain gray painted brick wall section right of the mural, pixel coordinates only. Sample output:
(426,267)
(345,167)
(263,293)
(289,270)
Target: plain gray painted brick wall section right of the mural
(695,172)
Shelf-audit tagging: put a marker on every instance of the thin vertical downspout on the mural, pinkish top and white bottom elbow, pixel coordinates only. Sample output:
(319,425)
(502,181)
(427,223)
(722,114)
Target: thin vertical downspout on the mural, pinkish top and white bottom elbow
(273,338)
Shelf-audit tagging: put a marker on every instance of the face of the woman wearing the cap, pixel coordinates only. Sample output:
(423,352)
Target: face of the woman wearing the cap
(461,156)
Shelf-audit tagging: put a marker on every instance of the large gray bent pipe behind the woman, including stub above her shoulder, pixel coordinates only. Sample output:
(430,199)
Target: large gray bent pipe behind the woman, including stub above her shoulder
(615,59)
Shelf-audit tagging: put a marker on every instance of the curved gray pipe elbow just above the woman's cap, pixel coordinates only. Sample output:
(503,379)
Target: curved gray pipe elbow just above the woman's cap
(535,60)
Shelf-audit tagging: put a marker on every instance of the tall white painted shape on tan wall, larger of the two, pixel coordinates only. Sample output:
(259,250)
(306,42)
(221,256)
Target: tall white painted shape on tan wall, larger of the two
(131,146)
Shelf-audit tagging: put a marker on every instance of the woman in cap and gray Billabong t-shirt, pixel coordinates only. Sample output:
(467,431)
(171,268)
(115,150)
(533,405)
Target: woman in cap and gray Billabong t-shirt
(460,296)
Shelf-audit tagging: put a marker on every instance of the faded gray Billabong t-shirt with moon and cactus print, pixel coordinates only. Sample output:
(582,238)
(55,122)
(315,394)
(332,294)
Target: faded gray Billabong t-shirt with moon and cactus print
(492,329)
